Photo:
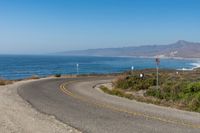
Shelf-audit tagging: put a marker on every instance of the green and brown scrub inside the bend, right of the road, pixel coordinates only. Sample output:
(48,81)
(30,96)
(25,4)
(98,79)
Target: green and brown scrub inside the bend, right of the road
(176,88)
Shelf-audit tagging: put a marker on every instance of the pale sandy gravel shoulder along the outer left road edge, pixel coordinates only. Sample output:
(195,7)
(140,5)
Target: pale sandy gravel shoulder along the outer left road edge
(18,116)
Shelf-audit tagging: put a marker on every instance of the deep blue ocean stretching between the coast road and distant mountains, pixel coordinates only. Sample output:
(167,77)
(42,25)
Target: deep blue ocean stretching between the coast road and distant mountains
(24,66)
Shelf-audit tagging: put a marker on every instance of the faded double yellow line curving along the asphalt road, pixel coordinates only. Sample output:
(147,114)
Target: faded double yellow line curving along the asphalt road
(133,113)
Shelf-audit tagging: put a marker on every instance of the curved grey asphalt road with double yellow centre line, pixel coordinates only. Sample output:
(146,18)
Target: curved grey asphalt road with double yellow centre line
(77,103)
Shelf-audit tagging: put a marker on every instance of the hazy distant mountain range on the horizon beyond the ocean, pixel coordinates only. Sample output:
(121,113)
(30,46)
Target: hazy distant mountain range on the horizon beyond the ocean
(180,49)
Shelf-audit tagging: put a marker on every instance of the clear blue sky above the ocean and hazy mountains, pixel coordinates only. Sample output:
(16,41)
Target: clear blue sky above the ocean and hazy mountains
(46,26)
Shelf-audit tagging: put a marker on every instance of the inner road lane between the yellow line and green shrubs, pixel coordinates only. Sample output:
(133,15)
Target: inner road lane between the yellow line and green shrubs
(149,110)
